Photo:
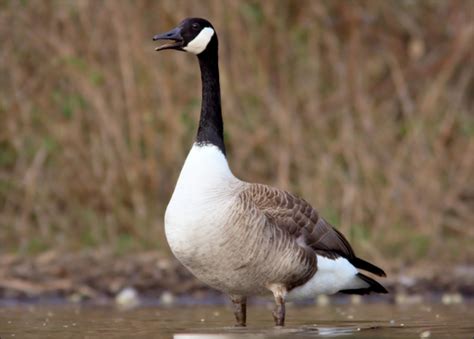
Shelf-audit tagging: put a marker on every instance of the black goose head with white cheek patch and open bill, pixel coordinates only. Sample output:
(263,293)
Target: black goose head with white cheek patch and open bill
(193,35)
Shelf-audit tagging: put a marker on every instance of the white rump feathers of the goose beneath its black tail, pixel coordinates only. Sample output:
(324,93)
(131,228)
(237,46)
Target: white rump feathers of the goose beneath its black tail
(332,276)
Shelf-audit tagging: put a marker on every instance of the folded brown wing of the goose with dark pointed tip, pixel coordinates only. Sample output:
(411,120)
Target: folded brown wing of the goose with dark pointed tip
(299,219)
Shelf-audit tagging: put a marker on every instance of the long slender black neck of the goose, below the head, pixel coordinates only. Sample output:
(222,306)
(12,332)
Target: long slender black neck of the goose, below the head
(211,127)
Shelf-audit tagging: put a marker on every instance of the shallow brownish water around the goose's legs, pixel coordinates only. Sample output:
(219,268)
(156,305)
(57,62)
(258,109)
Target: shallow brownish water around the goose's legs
(359,321)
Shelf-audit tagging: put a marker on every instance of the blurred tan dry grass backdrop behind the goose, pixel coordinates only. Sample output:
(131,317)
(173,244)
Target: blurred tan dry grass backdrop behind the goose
(365,108)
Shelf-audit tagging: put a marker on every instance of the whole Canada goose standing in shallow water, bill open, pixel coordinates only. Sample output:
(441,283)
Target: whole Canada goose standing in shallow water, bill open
(248,239)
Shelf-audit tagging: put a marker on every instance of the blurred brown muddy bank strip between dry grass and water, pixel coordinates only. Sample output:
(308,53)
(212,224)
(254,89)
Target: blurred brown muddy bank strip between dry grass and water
(98,275)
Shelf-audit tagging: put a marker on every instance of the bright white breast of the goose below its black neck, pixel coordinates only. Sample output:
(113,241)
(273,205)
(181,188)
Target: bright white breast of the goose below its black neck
(201,199)
